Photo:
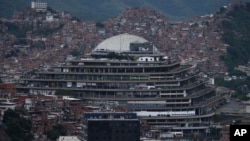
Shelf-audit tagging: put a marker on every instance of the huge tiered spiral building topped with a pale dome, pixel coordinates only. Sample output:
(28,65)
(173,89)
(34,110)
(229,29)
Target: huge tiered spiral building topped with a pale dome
(127,69)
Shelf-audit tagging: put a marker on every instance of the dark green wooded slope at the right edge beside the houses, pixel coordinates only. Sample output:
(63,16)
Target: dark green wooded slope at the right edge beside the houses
(236,34)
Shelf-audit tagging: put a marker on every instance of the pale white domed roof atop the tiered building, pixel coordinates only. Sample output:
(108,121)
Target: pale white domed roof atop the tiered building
(119,43)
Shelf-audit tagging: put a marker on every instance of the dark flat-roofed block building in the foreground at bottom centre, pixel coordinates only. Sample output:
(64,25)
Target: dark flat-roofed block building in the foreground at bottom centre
(108,126)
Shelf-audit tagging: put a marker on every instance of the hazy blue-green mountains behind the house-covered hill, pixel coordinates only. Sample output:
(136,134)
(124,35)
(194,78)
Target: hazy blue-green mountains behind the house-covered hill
(100,10)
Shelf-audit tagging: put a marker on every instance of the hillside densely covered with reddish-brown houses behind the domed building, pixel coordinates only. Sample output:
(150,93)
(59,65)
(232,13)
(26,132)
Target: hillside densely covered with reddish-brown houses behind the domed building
(197,42)
